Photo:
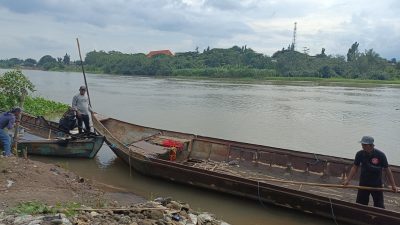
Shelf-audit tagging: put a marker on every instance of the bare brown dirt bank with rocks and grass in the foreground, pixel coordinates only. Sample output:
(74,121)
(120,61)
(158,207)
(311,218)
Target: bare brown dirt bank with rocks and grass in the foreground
(33,192)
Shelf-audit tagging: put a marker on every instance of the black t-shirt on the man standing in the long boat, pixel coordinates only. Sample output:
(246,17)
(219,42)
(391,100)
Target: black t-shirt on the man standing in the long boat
(371,167)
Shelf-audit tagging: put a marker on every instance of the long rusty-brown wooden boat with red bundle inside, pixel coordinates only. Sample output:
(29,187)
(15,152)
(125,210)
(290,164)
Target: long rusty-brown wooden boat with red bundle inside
(267,174)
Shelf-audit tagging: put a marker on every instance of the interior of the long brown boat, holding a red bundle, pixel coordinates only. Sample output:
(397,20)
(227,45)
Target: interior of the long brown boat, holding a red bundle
(282,167)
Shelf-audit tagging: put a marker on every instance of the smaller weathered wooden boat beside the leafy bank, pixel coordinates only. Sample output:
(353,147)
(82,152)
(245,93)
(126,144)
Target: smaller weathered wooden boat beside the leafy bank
(55,142)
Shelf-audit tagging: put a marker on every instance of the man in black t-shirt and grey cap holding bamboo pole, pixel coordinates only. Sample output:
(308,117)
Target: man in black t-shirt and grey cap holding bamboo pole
(372,162)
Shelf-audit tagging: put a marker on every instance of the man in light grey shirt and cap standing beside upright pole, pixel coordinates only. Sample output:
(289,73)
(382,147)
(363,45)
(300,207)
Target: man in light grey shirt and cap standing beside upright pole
(80,103)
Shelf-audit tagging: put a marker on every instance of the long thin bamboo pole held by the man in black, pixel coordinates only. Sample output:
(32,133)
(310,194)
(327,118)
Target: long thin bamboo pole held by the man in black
(323,185)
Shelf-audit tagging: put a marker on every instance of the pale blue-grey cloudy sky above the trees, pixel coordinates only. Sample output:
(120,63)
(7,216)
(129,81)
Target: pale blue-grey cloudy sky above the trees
(33,28)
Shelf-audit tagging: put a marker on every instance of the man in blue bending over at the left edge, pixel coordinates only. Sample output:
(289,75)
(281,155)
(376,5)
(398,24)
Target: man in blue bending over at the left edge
(7,120)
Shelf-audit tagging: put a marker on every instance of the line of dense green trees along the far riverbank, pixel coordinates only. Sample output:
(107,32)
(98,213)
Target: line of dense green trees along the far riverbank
(234,62)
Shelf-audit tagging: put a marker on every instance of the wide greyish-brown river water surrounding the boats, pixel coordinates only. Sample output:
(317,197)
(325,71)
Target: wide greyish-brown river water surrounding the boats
(302,116)
